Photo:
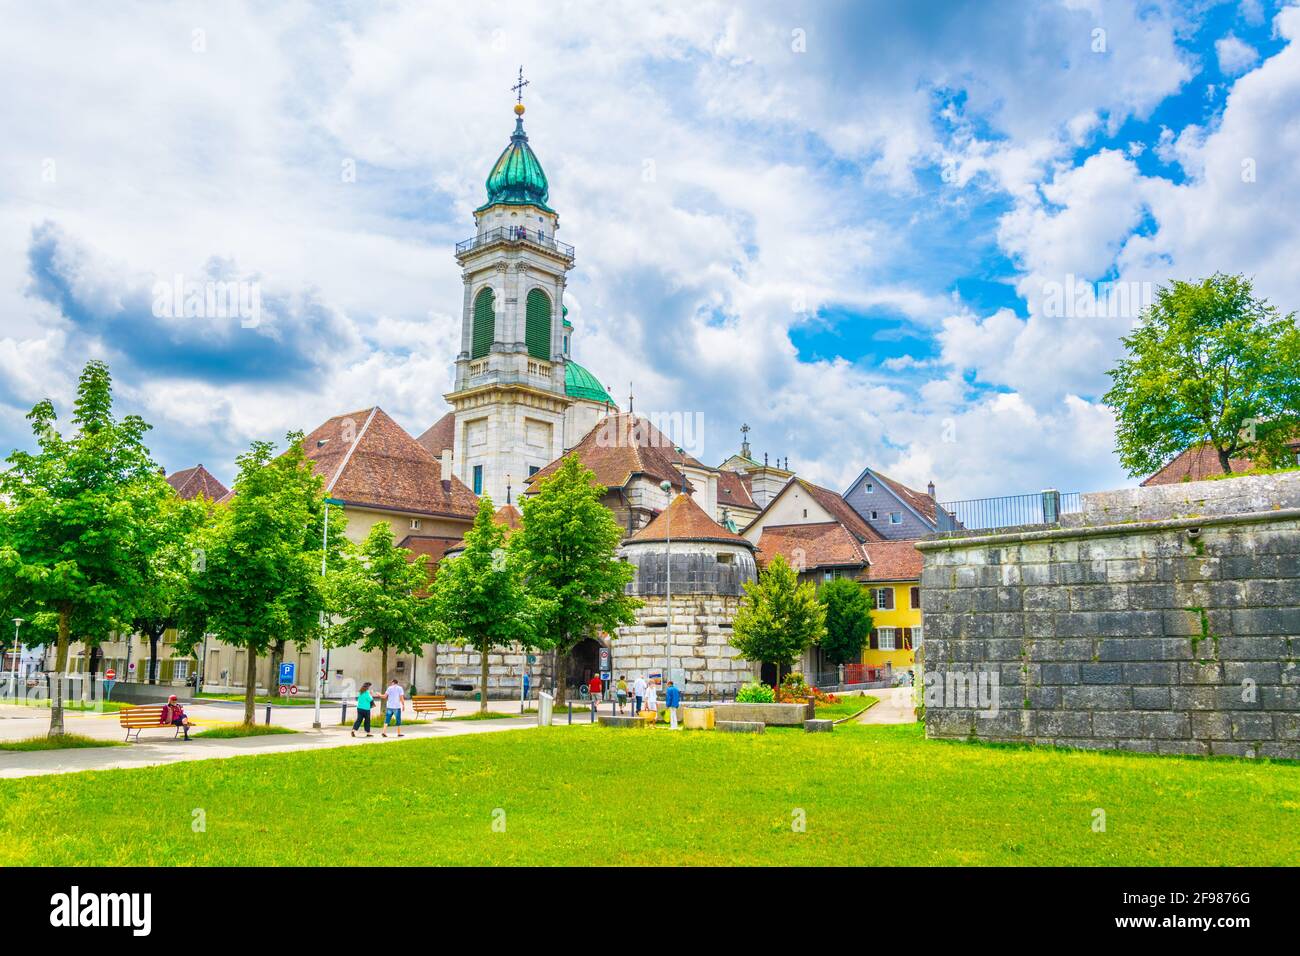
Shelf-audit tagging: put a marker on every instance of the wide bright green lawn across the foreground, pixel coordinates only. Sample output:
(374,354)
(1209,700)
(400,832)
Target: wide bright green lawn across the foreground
(593,795)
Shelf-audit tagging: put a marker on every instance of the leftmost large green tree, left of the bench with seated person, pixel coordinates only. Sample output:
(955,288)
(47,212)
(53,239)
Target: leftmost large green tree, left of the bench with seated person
(84,524)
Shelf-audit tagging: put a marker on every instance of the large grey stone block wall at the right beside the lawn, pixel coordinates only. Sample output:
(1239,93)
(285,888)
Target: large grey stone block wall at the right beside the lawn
(1164,621)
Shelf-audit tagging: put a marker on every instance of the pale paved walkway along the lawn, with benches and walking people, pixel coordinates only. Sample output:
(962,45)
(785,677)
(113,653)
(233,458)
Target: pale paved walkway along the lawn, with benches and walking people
(157,749)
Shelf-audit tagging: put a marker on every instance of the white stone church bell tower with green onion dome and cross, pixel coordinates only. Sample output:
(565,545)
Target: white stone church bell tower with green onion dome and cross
(510,396)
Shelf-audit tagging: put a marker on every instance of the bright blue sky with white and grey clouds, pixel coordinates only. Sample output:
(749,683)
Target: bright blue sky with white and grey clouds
(840,223)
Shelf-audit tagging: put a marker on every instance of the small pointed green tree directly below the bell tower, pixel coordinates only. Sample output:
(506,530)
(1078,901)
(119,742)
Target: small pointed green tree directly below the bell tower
(480,598)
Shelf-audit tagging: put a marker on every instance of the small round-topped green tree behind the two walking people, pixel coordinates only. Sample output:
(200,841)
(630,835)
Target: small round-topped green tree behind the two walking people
(380,596)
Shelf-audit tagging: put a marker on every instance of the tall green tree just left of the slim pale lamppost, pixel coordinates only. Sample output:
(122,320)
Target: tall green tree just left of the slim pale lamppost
(255,577)
